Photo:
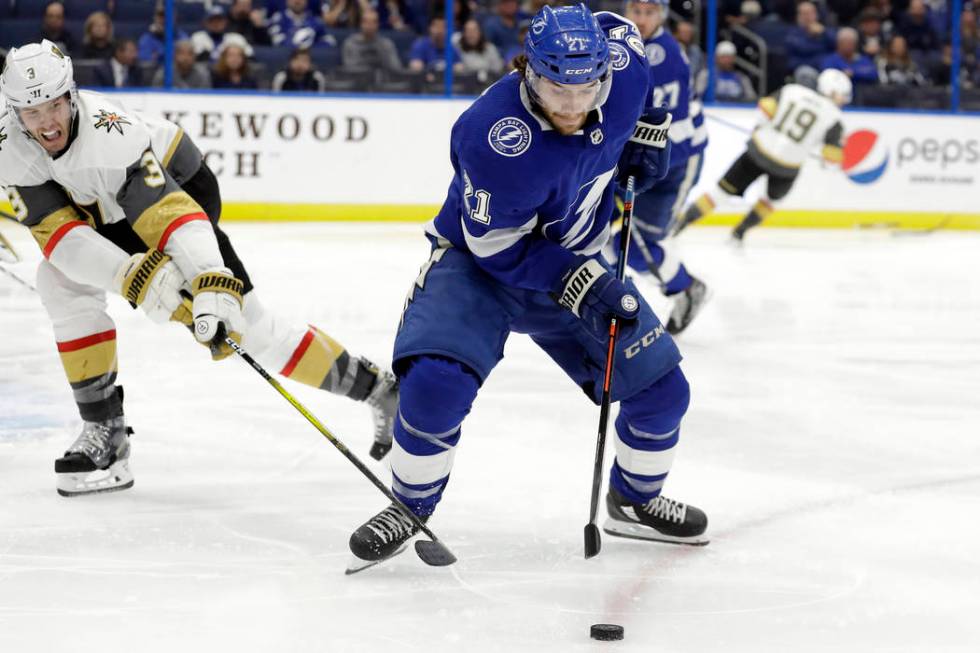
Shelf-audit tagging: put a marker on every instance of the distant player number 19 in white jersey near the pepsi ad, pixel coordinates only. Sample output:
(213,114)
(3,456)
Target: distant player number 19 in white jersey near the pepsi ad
(797,121)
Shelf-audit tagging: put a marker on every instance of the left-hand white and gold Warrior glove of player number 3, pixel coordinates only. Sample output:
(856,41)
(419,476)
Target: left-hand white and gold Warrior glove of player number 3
(152,282)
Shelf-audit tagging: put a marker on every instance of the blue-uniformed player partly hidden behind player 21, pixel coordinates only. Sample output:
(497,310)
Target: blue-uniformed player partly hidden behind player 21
(670,84)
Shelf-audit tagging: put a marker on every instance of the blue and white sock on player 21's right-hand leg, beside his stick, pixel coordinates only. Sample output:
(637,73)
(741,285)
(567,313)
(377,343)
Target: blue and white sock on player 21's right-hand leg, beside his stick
(647,431)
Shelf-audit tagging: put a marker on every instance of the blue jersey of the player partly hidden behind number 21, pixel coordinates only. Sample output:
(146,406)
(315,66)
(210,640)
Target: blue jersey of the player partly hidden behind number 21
(670,84)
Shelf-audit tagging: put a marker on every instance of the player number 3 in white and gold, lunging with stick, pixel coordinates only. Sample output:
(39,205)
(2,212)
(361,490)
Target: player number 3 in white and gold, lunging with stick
(124,203)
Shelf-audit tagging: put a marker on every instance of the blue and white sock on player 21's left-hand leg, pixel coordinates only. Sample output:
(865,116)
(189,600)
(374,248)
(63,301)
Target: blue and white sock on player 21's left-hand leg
(436,395)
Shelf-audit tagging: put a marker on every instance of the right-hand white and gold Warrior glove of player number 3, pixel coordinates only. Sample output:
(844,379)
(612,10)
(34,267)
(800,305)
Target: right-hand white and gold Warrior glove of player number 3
(217,310)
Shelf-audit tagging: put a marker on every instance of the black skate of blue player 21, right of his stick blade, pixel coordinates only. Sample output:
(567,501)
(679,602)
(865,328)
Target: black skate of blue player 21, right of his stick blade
(659,520)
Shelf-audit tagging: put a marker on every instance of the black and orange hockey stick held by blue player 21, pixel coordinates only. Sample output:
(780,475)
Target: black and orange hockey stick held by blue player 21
(593,541)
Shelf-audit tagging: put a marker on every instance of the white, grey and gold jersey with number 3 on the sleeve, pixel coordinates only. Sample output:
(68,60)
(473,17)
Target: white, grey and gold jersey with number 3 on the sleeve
(119,165)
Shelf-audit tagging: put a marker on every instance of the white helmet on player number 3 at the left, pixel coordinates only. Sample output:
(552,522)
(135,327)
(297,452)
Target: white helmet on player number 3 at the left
(37,73)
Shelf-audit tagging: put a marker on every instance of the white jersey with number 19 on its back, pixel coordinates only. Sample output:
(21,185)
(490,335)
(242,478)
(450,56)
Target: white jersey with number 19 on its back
(800,121)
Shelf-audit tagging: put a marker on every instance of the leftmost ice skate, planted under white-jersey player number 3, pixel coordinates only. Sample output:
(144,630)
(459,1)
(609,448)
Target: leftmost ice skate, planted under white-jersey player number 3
(98,461)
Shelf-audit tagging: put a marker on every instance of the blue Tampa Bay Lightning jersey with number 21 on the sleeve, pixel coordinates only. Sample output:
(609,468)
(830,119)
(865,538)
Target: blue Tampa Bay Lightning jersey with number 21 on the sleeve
(525,200)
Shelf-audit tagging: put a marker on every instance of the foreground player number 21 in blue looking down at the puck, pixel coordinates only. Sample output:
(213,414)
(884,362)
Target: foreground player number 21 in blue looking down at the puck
(516,249)
